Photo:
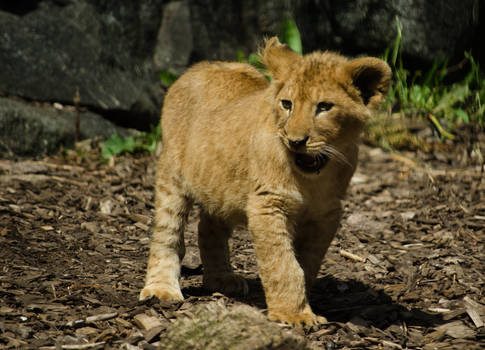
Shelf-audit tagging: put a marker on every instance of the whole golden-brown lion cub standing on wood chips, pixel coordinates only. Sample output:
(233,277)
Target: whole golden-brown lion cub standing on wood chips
(275,156)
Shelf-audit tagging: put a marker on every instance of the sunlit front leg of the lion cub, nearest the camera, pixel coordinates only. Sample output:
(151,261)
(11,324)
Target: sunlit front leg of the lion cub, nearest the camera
(281,275)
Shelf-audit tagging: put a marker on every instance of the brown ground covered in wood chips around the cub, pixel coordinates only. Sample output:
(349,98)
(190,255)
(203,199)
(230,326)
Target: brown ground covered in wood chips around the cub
(74,236)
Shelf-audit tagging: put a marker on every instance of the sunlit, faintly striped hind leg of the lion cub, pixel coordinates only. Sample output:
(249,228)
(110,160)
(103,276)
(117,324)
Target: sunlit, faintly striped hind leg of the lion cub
(167,247)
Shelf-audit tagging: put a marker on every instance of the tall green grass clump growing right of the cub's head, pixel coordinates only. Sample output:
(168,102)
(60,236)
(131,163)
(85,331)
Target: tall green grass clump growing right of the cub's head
(428,96)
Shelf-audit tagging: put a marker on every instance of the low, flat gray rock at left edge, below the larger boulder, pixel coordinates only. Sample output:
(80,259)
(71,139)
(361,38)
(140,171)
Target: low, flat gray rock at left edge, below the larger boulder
(28,130)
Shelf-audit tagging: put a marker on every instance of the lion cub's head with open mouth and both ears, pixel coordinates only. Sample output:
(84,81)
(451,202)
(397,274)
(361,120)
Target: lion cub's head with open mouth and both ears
(321,101)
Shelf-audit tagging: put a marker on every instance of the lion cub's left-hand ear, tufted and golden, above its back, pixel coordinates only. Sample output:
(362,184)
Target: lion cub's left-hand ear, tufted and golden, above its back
(278,58)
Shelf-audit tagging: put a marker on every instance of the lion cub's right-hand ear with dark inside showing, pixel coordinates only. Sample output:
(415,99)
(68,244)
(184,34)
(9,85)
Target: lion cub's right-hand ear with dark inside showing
(372,77)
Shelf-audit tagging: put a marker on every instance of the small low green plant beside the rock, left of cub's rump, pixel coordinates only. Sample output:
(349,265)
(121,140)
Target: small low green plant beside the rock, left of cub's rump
(144,141)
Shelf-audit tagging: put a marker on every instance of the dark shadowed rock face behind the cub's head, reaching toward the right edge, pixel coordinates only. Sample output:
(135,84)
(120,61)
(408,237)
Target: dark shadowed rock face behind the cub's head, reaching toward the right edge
(431,29)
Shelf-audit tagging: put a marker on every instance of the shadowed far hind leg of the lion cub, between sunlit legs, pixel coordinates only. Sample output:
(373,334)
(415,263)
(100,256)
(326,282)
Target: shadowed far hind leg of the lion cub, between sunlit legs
(214,253)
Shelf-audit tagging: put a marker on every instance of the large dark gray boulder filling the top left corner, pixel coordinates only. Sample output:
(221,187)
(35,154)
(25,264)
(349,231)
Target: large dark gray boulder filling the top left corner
(104,49)
